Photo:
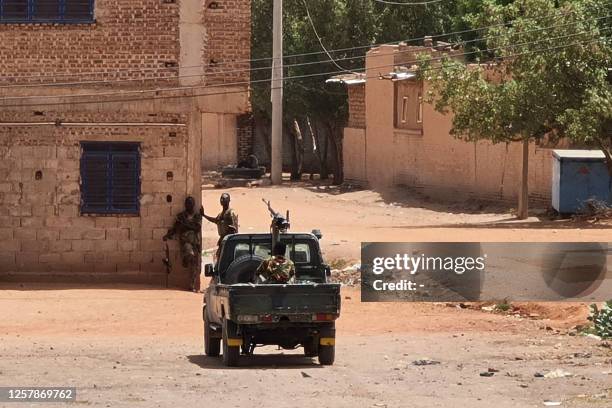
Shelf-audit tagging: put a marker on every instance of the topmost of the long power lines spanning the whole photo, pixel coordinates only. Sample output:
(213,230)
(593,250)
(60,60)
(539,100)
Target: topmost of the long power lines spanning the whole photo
(414,39)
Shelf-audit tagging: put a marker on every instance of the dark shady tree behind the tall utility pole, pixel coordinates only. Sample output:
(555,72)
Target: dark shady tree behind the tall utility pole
(321,110)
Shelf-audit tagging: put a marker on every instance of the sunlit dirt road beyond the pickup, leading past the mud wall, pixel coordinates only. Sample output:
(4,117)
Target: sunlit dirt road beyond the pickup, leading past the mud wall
(348,218)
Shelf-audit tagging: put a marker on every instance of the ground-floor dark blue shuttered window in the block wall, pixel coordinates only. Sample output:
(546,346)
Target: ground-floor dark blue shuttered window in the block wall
(110,178)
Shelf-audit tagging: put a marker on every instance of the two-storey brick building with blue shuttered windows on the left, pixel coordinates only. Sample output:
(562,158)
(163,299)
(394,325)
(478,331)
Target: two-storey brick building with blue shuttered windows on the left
(109,110)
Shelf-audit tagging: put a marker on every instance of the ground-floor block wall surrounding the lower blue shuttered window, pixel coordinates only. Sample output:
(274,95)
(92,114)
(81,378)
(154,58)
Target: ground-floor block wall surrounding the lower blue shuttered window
(41,229)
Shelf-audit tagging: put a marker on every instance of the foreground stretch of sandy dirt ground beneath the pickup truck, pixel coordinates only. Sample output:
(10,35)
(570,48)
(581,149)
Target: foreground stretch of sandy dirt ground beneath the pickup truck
(135,346)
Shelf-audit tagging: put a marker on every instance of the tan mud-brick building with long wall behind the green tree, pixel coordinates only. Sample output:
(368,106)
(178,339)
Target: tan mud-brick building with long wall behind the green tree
(394,137)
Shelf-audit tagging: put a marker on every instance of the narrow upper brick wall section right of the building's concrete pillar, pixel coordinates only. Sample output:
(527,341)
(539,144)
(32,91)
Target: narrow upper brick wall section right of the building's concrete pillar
(228,40)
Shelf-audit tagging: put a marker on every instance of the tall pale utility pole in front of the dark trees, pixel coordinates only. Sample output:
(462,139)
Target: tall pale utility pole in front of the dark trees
(276,171)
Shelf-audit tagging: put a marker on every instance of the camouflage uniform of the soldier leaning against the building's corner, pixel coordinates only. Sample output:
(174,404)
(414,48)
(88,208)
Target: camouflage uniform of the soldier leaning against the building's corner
(188,227)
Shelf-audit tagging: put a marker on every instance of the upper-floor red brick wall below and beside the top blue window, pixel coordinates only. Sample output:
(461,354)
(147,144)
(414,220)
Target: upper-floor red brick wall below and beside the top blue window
(126,36)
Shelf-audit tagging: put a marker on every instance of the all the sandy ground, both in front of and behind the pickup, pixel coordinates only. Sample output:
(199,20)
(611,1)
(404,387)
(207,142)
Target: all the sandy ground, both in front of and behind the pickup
(137,346)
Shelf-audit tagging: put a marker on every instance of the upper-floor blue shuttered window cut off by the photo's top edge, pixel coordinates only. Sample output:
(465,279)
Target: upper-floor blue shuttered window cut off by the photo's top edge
(46,11)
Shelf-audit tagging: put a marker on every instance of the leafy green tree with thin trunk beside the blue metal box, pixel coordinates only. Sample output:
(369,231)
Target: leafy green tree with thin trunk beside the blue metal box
(547,77)
